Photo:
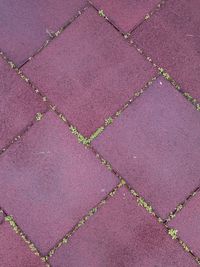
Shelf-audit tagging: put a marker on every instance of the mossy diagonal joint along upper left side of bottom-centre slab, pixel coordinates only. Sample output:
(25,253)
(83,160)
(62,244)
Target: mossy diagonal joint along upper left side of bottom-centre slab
(84,219)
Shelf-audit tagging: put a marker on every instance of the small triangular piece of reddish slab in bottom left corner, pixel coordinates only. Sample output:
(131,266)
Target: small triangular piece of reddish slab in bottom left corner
(14,252)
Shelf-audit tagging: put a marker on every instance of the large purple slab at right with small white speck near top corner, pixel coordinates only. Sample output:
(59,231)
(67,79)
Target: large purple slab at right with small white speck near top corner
(155,144)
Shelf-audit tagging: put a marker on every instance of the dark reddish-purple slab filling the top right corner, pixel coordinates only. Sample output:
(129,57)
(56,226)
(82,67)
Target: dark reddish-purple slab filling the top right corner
(171,38)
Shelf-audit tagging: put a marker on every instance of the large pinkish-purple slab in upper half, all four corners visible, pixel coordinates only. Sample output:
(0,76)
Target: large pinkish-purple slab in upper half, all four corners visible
(89,72)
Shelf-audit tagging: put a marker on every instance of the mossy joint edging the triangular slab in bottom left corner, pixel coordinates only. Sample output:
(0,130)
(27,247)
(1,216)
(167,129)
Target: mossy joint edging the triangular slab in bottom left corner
(15,227)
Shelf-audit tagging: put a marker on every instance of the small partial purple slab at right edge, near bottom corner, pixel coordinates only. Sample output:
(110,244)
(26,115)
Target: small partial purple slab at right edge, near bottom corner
(187,224)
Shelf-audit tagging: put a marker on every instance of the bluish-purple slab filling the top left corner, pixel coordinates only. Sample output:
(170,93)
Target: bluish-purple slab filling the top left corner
(24,24)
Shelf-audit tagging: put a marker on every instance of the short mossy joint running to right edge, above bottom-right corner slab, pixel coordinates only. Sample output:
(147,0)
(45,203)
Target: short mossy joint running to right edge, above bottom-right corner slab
(181,205)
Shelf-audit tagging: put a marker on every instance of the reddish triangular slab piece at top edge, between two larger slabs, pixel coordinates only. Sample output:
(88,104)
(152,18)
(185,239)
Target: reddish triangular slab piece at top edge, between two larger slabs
(125,14)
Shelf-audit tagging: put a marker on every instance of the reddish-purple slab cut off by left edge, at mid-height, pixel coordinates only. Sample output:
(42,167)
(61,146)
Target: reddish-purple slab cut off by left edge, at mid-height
(18,104)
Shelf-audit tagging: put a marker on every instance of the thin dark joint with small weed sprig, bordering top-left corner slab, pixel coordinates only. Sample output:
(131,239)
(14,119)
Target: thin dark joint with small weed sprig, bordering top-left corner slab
(53,35)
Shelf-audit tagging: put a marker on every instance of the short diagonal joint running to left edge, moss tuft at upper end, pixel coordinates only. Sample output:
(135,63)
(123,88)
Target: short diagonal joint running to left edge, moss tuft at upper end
(38,117)
